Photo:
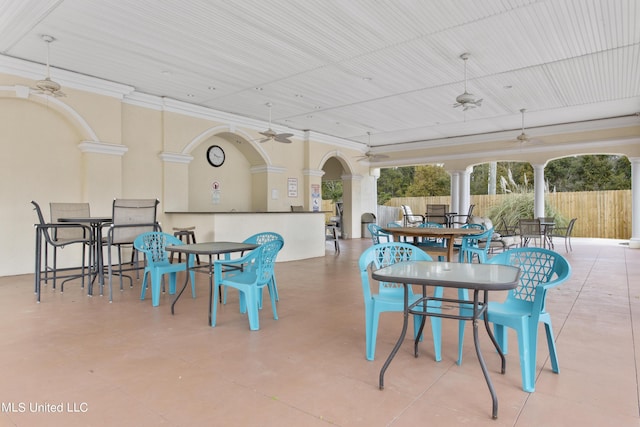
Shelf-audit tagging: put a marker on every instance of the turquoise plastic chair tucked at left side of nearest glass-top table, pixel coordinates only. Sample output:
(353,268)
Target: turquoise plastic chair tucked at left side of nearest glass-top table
(390,296)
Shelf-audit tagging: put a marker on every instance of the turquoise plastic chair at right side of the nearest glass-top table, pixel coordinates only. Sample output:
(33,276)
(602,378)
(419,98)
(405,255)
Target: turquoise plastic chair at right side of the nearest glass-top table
(524,308)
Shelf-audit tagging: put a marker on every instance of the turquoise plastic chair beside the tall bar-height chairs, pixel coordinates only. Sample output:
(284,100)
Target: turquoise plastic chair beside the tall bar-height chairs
(153,244)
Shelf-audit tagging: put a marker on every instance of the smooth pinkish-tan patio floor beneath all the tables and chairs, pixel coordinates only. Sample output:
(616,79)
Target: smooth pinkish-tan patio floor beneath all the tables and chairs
(130,364)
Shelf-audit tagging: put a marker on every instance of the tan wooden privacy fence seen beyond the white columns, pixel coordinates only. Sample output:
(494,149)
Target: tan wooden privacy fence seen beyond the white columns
(601,214)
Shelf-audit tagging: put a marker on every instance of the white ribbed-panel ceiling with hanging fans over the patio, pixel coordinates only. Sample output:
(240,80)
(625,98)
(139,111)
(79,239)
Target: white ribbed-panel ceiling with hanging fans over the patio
(345,68)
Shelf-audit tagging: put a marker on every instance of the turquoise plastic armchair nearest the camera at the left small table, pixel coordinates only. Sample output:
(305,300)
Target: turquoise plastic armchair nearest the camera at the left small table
(252,273)
